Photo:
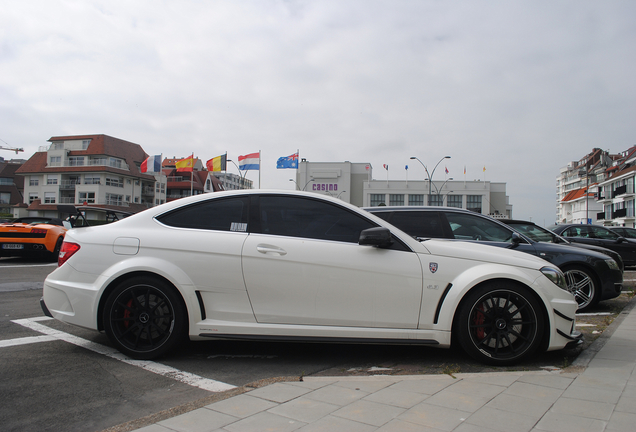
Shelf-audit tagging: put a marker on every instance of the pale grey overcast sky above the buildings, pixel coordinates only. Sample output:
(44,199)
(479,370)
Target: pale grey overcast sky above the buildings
(519,87)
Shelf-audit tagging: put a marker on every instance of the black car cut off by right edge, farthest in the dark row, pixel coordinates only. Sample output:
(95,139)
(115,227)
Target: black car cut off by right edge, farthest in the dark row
(599,236)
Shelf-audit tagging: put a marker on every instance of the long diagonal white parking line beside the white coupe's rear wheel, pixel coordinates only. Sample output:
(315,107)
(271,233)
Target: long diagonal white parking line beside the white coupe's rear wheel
(150,366)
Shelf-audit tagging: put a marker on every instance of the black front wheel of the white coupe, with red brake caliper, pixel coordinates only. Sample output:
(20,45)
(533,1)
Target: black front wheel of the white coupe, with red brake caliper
(500,323)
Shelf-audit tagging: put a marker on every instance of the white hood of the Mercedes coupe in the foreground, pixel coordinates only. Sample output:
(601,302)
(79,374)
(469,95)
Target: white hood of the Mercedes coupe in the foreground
(483,252)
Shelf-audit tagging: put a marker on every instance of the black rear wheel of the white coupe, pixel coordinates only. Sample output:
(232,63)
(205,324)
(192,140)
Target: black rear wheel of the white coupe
(145,317)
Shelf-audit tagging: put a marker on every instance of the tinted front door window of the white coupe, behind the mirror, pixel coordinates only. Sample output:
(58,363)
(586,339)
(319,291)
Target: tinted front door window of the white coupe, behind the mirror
(308,218)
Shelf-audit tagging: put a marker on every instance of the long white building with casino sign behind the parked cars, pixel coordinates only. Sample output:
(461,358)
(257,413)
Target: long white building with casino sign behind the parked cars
(354,183)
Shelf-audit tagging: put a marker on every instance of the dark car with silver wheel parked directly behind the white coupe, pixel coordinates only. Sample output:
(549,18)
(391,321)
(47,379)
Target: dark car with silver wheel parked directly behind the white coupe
(590,276)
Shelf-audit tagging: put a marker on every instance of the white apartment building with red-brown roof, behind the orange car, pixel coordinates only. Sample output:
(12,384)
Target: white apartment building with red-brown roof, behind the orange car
(96,170)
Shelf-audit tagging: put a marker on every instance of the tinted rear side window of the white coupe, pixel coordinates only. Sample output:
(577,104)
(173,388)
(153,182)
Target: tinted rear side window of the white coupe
(225,214)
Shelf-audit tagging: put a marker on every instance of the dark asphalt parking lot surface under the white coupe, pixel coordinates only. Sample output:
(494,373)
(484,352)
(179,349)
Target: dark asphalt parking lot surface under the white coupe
(59,377)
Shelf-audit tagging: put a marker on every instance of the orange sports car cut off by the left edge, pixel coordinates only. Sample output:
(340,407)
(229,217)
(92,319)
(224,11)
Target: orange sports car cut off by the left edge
(38,237)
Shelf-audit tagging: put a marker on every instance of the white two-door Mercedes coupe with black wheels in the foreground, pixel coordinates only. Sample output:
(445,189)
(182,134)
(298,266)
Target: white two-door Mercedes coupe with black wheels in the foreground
(297,266)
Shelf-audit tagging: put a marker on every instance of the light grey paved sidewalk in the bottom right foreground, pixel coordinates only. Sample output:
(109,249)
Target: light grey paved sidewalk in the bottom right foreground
(601,397)
